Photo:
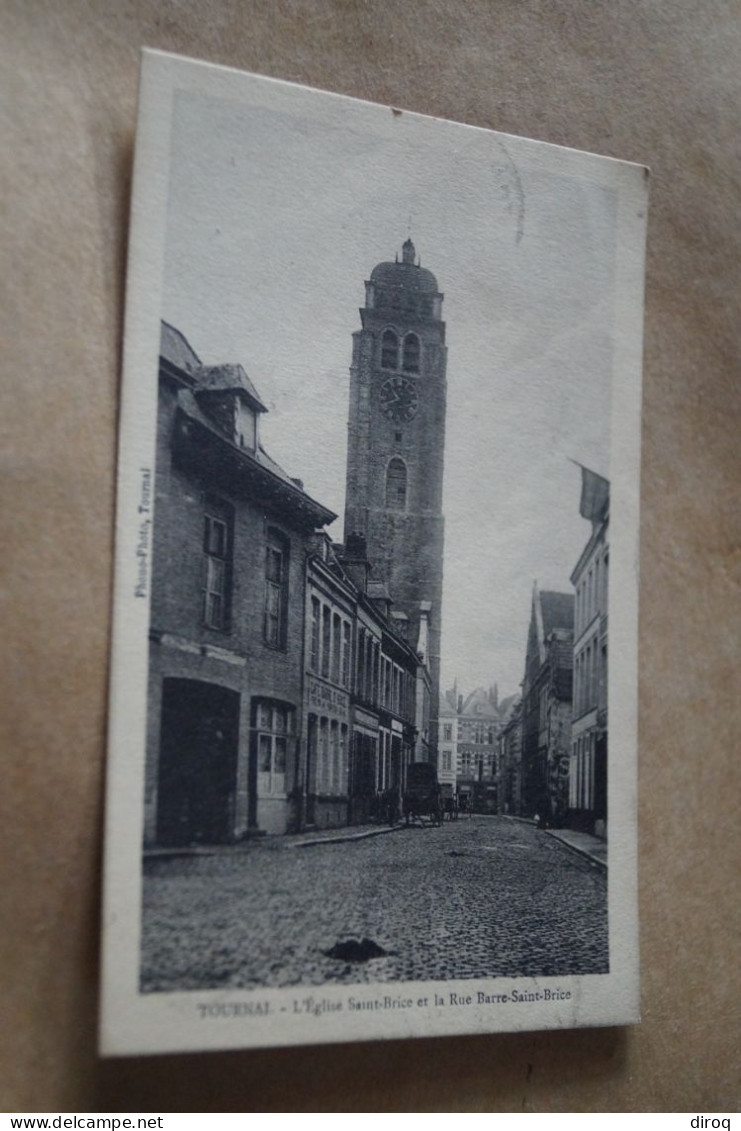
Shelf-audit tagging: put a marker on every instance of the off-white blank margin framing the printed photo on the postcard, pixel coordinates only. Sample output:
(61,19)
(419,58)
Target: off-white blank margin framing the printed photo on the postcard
(134,1023)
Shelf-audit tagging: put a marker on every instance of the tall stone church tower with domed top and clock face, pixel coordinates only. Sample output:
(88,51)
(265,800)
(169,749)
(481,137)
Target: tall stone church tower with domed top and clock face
(397,444)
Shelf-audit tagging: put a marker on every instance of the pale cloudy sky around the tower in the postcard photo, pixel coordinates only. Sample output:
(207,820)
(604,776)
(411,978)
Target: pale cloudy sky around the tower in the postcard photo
(275,221)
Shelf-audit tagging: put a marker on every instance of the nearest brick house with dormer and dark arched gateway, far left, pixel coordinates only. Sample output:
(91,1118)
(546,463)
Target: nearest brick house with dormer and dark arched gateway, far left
(227,612)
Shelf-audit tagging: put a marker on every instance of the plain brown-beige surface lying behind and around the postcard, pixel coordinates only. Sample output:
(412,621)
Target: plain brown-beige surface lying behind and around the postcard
(651,82)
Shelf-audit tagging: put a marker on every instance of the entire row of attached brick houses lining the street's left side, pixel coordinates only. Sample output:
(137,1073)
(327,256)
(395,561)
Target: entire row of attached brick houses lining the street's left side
(287,688)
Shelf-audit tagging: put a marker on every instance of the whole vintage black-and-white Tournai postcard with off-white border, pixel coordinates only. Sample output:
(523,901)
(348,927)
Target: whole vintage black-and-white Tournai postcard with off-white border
(374,701)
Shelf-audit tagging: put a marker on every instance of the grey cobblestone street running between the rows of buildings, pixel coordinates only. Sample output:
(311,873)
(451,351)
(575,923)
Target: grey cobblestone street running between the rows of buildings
(484,897)
